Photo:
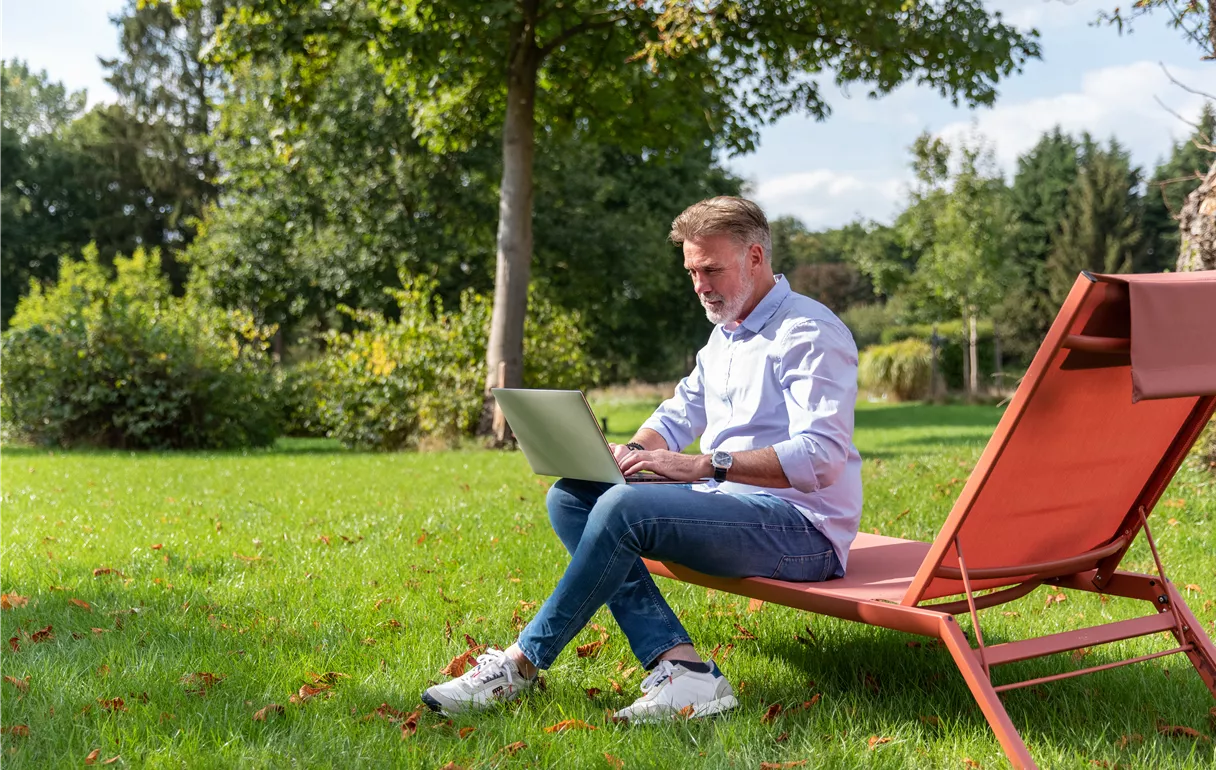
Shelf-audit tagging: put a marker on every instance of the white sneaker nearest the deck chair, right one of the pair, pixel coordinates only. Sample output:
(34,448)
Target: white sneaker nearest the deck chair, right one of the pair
(673,692)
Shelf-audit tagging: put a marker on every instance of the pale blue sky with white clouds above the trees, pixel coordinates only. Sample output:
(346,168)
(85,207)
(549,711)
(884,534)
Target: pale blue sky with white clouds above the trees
(854,165)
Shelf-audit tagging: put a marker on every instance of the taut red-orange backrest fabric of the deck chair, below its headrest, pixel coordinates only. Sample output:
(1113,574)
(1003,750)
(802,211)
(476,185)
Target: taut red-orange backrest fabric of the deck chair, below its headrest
(1073,456)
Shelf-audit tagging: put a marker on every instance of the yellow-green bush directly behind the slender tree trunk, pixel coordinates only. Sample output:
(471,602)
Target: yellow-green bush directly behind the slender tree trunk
(395,384)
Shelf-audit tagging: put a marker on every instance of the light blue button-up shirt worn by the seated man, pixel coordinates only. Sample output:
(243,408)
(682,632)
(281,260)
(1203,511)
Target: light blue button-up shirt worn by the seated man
(784,378)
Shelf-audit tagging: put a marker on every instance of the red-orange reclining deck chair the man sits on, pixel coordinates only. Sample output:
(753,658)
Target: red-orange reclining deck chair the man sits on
(1114,400)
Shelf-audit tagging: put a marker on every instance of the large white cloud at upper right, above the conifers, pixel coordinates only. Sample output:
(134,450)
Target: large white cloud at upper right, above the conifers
(1112,102)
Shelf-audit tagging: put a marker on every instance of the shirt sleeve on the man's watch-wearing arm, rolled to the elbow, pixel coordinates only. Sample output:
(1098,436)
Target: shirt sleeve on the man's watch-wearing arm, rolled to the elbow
(819,379)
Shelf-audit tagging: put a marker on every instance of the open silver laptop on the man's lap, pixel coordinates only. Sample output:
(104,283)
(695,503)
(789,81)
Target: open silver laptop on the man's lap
(561,436)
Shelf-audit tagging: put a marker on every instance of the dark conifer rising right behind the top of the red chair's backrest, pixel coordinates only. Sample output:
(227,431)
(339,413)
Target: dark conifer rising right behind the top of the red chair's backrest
(1101,228)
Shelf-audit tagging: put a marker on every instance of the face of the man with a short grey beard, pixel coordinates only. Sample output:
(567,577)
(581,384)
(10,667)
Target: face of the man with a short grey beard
(722,276)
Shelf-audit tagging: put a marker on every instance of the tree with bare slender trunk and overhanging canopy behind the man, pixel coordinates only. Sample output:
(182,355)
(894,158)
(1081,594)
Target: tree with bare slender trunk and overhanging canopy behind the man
(644,75)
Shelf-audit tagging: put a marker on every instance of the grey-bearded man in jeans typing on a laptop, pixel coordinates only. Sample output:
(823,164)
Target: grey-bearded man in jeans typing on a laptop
(773,400)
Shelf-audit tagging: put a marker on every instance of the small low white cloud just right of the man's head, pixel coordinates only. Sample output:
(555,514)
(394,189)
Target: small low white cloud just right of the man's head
(824,198)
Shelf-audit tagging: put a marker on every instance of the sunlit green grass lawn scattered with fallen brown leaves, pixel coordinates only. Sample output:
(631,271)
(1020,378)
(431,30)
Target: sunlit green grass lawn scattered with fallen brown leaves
(261,569)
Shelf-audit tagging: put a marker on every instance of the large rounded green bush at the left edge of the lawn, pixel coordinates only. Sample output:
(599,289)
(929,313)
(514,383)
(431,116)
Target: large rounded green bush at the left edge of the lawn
(121,363)
